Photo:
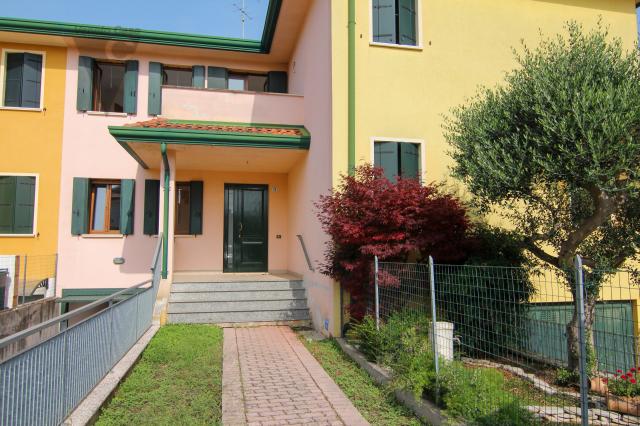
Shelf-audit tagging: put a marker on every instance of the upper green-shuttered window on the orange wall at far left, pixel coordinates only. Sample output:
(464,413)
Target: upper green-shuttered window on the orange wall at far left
(23,80)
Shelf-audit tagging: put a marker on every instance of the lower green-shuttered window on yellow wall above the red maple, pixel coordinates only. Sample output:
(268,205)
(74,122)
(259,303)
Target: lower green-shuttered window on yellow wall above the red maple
(397,159)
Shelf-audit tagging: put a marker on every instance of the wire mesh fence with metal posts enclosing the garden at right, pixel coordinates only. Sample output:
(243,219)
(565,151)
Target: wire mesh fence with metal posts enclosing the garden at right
(523,337)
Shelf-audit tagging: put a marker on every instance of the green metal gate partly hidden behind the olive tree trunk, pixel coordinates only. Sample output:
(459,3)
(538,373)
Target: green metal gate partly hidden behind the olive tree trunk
(613,333)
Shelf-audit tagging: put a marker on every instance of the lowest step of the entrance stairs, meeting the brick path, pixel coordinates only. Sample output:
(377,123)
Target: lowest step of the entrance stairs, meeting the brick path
(238,317)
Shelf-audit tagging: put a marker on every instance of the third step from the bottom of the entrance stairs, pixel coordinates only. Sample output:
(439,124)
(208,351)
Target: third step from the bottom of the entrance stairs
(233,296)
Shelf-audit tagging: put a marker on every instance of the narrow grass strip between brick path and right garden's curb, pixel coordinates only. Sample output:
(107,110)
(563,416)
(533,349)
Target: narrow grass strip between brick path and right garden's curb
(376,404)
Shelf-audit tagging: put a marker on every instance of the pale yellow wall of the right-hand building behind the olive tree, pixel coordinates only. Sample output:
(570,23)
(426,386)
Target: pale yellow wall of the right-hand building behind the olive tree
(404,93)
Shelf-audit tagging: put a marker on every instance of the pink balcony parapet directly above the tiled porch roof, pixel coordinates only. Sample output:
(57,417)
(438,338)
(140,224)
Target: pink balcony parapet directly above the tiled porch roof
(227,105)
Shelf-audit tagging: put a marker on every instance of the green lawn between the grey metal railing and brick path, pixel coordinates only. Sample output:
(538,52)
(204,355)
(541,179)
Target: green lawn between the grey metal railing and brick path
(178,381)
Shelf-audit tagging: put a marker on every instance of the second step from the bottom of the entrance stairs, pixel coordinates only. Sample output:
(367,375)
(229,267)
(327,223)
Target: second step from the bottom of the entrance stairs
(237,306)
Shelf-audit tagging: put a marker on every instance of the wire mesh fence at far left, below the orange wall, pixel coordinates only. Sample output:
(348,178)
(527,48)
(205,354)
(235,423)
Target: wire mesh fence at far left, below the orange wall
(26,278)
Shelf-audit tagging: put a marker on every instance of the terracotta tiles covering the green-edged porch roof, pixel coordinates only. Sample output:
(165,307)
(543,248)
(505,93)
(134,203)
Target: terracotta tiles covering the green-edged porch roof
(163,123)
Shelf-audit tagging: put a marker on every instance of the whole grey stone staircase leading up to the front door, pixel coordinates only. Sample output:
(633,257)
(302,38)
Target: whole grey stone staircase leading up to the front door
(236,302)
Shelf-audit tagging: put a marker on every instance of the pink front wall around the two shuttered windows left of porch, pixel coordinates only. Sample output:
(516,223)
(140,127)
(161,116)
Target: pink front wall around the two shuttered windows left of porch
(90,151)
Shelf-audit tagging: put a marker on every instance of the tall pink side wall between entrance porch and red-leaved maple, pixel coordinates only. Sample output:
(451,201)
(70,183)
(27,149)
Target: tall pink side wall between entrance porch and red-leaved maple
(310,76)
